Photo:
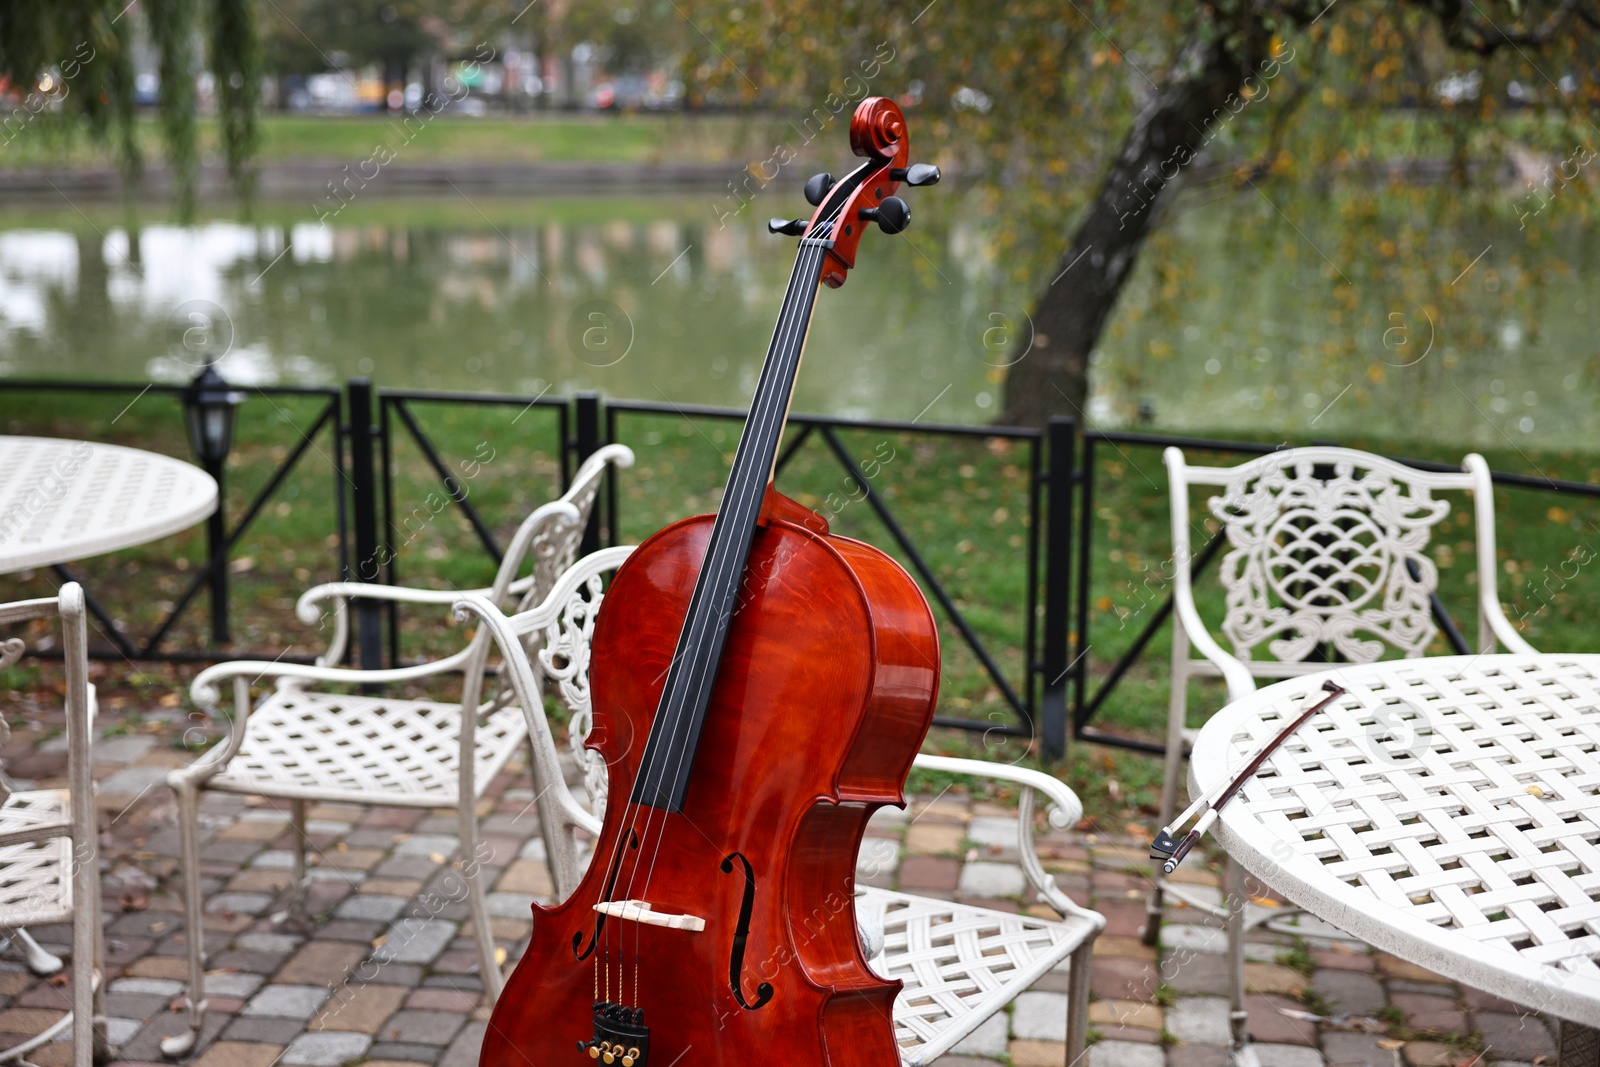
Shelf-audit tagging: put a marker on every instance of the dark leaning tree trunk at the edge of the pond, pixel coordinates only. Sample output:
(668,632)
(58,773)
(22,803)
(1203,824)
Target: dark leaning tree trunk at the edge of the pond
(1201,97)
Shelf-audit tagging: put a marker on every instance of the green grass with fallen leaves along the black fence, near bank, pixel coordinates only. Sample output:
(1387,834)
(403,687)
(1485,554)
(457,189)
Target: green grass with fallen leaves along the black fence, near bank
(964,502)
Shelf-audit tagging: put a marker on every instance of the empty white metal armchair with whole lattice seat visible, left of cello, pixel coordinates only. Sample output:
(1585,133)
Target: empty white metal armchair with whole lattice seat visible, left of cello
(306,743)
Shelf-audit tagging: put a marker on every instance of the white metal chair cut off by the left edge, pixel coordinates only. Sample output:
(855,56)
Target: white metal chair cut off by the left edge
(49,837)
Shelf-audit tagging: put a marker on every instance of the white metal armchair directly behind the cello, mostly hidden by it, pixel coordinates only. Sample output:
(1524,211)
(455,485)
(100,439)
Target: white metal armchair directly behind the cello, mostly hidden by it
(961,964)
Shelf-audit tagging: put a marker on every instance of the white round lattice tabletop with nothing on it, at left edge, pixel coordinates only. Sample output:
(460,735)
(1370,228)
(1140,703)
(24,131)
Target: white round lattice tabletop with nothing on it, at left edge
(63,500)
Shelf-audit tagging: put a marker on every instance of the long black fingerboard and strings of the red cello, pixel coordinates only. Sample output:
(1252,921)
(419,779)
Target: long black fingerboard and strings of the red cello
(670,754)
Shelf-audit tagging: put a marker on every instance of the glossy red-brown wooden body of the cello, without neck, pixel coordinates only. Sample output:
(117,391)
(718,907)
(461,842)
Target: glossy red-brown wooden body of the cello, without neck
(826,690)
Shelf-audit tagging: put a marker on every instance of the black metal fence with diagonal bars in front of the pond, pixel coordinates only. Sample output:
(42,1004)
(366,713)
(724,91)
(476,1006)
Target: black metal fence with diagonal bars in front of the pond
(1055,695)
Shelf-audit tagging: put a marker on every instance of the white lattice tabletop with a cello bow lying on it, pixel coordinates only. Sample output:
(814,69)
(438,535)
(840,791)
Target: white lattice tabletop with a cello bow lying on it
(1444,810)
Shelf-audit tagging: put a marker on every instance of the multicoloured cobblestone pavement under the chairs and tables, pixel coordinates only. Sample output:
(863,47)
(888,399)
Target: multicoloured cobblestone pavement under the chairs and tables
(310,993)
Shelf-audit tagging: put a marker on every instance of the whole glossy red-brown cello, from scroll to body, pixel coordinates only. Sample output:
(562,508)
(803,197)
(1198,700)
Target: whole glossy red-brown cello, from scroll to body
(782,681)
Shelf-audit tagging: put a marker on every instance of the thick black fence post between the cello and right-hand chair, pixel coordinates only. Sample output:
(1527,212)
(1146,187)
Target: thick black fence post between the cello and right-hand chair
(1058,585)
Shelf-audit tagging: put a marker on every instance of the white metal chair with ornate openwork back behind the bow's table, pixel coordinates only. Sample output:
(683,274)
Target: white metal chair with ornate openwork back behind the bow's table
(1327,562)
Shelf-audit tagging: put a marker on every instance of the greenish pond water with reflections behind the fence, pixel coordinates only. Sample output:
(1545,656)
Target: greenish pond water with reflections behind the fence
(647,298)
